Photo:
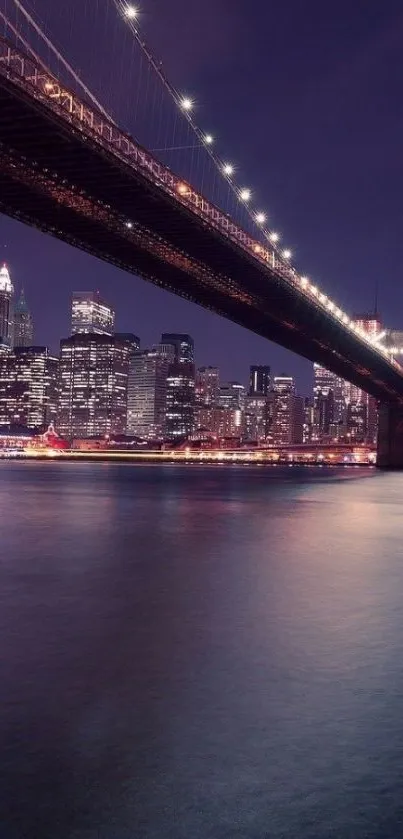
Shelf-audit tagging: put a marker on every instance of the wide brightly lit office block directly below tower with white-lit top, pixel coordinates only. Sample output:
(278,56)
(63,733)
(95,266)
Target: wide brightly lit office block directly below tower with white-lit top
(94,373)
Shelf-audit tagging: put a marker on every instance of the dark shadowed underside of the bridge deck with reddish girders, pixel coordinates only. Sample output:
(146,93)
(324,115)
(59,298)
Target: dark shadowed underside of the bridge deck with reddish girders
(55,178)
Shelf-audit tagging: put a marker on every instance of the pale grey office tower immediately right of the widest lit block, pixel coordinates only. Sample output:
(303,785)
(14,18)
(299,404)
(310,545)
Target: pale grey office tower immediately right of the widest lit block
(147,392)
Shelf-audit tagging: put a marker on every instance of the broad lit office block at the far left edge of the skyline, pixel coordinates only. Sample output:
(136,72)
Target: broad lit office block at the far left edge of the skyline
(29,387)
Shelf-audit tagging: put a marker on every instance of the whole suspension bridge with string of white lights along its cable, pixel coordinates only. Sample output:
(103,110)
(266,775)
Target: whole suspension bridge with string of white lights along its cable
(160,203)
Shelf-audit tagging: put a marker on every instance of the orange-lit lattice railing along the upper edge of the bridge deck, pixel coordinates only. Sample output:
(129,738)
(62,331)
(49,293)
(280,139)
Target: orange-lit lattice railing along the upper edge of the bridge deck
(26,72)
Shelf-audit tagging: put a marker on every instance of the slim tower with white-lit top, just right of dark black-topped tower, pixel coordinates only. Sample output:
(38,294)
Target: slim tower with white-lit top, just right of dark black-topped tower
(288,412)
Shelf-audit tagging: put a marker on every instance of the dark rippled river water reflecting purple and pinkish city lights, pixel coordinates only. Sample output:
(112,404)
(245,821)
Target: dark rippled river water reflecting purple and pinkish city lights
(191,652)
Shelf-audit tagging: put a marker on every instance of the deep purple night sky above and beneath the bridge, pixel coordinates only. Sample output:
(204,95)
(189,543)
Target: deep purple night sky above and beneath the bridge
(306,97)
